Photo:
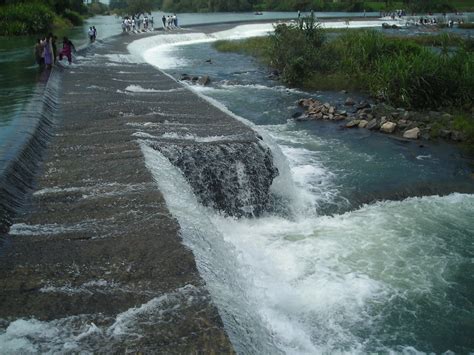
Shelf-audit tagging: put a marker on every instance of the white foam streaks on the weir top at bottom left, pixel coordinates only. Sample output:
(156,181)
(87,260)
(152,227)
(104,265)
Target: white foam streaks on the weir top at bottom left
(79,334)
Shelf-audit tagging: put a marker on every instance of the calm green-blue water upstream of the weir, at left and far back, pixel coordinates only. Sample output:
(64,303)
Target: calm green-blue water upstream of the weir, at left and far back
(20,77)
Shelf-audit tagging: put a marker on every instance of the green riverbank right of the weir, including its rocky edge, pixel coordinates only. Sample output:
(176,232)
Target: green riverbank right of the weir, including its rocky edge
(391,70)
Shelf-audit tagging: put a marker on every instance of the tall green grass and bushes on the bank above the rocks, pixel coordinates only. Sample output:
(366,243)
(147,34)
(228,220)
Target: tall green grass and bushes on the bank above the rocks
(422,73)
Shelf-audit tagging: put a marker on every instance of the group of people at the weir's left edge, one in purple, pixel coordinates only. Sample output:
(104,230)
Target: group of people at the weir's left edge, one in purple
(46,53)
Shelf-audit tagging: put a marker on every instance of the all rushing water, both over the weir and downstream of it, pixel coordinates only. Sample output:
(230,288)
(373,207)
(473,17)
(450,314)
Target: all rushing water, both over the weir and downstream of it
(304,269)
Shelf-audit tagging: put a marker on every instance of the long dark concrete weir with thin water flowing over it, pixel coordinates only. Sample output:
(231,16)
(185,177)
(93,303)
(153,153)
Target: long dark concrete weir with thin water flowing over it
(95,257)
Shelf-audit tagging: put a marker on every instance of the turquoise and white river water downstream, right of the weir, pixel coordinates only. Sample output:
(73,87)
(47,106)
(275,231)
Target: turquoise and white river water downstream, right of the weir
(334,265)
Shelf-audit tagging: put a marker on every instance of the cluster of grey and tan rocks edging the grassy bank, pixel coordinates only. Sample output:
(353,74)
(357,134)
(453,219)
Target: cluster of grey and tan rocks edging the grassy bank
(382,117)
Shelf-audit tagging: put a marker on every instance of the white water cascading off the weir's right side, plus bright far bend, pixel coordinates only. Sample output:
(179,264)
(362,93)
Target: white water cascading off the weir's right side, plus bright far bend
(294,281)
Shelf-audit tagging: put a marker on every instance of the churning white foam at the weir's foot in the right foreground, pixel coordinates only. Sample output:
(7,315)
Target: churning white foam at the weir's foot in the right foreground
(317,281)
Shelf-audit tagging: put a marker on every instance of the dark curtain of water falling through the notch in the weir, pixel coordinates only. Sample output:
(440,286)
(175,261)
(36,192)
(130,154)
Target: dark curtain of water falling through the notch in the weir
(231,177)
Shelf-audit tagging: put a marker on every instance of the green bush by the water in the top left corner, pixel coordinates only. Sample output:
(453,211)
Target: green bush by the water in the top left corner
(24,18)
